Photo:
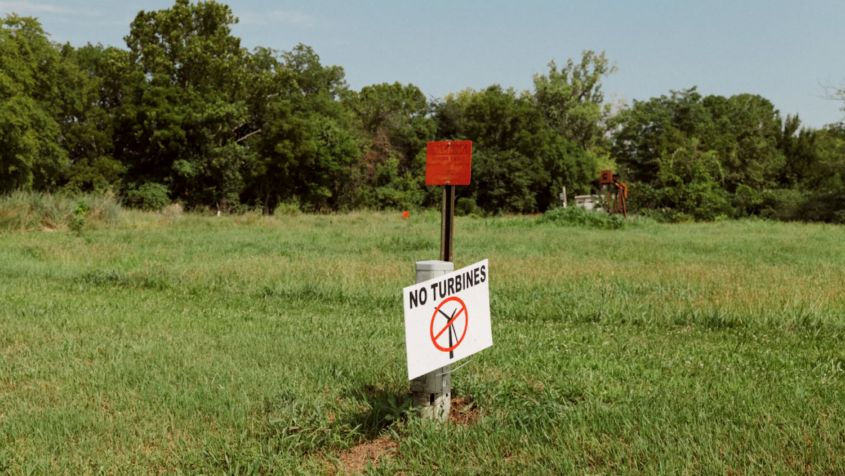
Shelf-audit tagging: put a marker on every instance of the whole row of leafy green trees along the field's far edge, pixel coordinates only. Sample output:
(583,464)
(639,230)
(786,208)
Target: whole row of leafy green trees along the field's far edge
(185,113)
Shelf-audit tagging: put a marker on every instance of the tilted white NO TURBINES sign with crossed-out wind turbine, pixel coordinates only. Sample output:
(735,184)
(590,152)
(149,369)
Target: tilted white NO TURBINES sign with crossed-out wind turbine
(447,318)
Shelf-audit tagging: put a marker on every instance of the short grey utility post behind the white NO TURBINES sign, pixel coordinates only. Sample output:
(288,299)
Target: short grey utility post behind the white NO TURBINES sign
(433,391)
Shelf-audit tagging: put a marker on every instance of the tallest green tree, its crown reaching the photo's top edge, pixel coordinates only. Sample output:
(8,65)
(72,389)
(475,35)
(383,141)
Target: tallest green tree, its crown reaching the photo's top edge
(184,105)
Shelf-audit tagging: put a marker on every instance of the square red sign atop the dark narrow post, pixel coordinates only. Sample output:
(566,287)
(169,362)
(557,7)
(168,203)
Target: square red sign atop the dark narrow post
(448,162)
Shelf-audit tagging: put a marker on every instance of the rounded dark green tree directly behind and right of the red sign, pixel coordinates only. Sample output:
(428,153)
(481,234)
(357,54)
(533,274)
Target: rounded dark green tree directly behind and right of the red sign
(519,162)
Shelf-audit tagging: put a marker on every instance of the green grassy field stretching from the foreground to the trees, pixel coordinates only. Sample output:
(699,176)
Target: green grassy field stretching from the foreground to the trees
(204,345)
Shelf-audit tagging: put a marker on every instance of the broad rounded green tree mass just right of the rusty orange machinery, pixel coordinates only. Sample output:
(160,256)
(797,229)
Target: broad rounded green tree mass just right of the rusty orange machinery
(699,155)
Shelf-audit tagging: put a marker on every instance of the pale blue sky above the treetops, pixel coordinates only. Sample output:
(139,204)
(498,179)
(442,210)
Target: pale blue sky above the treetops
(784,50)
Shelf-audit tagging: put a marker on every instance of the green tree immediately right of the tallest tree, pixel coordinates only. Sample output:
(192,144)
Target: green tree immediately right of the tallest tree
(304,144)
